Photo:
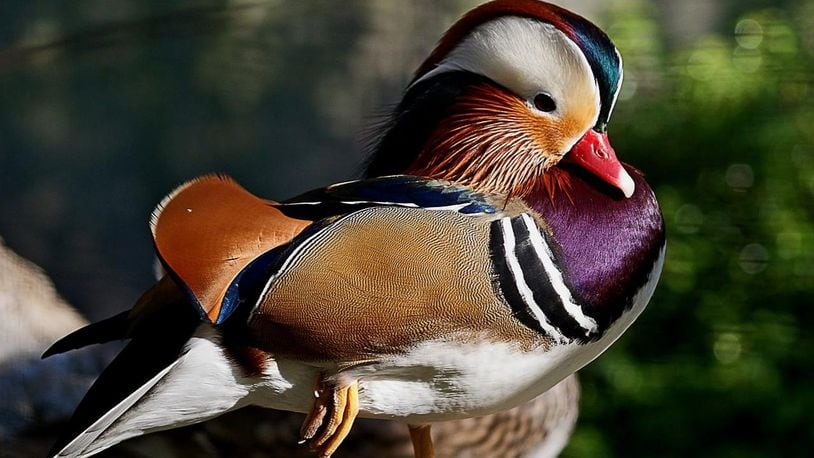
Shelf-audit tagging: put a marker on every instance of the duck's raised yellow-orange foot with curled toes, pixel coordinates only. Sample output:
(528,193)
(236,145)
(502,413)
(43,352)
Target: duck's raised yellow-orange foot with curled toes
(331,418)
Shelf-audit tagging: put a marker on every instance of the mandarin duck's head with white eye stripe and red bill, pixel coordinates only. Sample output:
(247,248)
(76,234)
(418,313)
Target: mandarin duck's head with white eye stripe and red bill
(513,89)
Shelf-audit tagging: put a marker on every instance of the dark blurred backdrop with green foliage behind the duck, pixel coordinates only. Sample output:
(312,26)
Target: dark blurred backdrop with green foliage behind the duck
(106,105)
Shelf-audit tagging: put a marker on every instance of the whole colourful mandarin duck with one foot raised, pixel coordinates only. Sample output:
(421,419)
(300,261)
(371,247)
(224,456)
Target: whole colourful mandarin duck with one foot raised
(496,247)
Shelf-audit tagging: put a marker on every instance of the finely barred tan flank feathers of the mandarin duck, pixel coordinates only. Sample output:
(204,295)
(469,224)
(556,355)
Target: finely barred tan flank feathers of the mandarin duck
(382,280)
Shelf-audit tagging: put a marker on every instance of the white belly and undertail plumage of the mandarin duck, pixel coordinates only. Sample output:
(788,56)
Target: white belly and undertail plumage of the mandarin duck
(436,381)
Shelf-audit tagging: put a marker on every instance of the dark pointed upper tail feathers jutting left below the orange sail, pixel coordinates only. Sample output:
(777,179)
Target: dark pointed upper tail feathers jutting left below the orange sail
(143,318)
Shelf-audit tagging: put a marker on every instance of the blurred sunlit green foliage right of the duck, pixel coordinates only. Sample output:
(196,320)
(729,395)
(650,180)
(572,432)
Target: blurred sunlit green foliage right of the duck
(720,363)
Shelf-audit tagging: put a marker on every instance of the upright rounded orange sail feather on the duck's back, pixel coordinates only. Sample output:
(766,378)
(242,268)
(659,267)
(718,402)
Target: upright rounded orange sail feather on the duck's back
(209,229)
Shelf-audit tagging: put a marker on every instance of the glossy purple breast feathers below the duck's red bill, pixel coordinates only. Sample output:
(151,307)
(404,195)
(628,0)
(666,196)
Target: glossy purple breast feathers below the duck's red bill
(607,245)
